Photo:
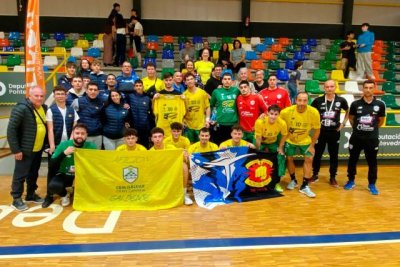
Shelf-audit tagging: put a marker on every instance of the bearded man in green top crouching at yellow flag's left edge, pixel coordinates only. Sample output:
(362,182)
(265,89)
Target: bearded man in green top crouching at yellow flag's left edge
(62,166)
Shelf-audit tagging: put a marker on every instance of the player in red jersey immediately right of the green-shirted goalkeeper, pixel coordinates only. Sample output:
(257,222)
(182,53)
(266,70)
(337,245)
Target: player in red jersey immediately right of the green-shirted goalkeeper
(250,107)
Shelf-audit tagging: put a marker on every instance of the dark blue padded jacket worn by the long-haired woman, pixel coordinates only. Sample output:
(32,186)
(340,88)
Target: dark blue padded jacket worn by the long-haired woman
(114,117)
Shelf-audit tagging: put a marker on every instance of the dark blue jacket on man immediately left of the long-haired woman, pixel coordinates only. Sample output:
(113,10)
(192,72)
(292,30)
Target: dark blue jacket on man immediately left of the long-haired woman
(89,111)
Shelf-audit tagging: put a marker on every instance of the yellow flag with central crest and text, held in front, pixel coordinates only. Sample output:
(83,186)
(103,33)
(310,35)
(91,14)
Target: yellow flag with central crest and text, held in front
(128,180)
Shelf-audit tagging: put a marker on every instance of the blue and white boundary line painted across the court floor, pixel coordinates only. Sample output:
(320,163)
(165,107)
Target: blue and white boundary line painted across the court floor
(196,245)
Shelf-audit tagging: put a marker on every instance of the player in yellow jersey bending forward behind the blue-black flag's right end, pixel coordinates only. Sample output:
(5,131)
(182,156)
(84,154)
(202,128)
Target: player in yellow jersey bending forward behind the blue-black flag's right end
(270,134)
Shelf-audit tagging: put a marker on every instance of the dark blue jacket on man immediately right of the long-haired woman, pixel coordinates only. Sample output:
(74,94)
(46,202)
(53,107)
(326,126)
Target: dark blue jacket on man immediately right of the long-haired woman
(141,111)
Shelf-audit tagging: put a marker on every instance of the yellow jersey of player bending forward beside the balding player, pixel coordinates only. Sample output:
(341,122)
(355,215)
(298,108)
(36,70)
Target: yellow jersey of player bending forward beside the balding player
(269,132)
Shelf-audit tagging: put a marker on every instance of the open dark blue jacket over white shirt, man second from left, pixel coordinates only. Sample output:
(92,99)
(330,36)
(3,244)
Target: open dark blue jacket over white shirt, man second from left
(58,122)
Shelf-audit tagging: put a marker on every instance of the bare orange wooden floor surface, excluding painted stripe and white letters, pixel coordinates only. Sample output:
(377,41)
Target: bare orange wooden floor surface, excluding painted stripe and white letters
(333,211)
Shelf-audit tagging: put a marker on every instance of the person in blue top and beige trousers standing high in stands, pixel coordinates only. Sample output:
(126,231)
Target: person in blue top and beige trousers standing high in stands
(364,44)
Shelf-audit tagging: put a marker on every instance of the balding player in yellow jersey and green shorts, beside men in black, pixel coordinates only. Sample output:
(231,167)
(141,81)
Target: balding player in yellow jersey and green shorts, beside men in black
(301,120)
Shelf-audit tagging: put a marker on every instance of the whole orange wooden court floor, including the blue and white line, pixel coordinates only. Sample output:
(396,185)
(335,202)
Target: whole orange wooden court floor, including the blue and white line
(337,228)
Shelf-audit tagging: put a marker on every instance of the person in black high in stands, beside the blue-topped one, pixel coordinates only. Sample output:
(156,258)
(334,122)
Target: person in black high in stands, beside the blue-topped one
(348,48)
